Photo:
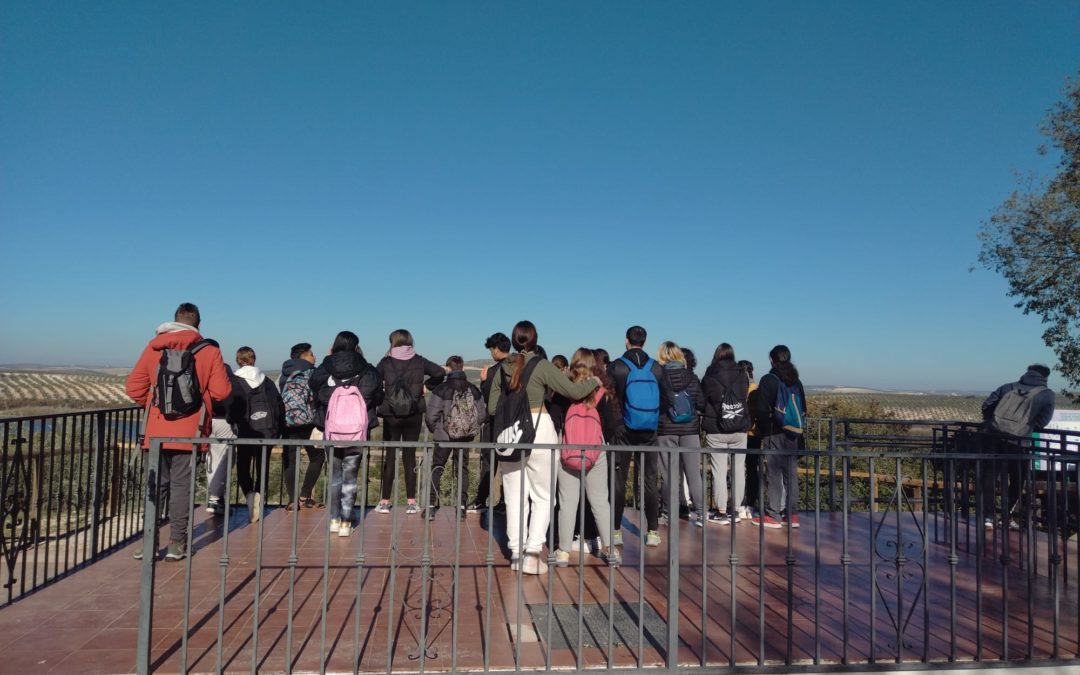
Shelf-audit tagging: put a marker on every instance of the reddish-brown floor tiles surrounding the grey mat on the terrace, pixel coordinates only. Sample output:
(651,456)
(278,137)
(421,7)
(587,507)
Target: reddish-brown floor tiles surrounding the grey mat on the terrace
(93,615)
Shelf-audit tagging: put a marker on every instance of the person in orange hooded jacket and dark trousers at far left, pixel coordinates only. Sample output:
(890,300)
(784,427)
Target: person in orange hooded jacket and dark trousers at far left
(174,472)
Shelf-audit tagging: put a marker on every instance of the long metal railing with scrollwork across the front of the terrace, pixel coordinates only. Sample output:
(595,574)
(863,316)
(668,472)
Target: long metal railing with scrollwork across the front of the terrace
(906,549)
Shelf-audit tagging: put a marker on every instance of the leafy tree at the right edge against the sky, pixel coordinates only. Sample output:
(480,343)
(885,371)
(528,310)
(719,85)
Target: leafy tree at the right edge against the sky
(1033,239)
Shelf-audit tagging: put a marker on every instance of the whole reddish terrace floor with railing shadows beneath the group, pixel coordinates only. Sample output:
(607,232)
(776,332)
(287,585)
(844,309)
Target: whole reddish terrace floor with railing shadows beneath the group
(373,600)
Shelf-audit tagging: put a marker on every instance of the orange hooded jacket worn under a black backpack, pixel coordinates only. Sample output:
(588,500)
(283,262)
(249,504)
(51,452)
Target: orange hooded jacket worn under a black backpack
(213,380)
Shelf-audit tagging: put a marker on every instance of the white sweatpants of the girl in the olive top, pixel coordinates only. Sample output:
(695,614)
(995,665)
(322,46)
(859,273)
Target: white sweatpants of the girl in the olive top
(528,490)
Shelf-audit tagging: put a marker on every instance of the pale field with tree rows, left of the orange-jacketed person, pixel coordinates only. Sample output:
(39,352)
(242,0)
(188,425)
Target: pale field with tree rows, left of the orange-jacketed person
(30,393)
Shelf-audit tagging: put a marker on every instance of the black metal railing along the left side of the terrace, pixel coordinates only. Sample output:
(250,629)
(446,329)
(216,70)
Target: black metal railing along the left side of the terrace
(72,492)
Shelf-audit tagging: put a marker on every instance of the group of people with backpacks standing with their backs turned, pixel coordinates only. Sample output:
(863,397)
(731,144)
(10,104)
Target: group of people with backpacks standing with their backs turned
(575,404)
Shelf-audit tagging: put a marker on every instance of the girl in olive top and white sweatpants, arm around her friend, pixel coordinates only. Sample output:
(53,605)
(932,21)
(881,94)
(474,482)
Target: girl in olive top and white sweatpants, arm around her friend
(526,482)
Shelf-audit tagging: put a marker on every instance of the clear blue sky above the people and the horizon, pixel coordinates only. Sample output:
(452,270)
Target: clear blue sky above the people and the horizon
(813,174)
